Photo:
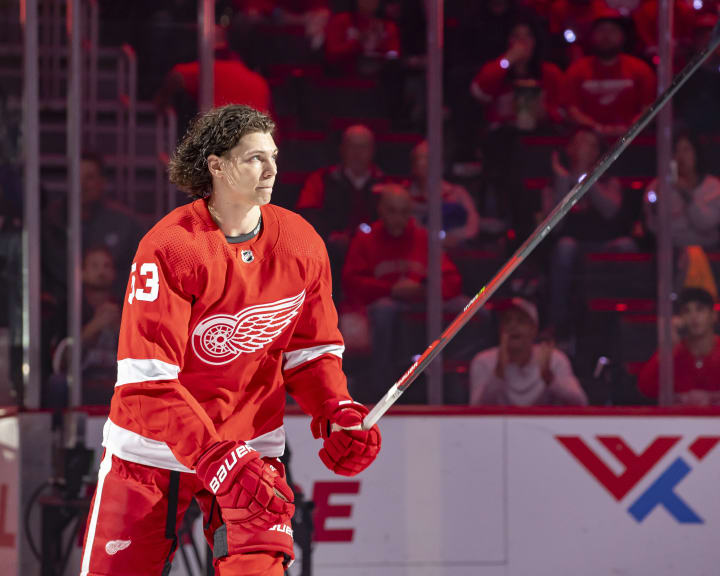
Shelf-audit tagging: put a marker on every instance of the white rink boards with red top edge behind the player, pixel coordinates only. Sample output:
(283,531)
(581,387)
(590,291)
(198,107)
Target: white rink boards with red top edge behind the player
(534,494)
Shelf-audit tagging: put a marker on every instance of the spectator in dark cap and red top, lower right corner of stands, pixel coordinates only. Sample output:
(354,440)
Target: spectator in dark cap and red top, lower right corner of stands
(696,353)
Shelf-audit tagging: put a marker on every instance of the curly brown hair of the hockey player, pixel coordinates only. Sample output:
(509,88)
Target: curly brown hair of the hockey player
(215,132)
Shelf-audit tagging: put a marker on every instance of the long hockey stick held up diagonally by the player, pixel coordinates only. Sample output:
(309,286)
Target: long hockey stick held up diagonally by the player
(557,214)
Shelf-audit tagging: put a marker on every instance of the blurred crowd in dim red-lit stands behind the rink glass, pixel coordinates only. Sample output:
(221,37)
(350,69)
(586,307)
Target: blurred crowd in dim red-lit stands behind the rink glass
(534,93)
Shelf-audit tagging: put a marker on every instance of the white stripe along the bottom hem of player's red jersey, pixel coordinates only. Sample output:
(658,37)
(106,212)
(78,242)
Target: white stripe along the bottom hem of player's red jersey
(134,447)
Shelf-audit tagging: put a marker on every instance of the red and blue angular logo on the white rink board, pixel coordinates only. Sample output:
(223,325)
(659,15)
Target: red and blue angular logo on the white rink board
(636,466)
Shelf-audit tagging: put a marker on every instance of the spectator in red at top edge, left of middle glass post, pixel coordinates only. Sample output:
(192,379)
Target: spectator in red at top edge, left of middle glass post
(361,33)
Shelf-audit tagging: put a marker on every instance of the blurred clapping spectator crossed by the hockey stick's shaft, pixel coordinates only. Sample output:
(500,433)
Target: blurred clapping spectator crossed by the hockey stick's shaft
(595,223)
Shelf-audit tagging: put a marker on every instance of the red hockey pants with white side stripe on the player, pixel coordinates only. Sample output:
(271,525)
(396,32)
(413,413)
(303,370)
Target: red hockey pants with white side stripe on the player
(133,523)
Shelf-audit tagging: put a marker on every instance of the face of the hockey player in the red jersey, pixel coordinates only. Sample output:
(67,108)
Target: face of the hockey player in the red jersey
(249,169)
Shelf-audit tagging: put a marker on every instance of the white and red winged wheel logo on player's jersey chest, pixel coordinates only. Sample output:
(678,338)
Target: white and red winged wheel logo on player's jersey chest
(221,338)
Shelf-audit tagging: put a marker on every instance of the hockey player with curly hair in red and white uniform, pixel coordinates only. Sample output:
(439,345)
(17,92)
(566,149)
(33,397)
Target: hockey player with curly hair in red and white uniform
(228,308)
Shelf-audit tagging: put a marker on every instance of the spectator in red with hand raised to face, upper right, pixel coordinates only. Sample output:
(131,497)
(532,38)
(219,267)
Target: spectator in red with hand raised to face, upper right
(520,88)
